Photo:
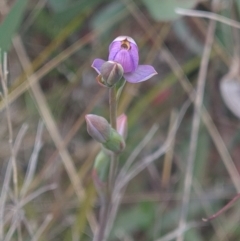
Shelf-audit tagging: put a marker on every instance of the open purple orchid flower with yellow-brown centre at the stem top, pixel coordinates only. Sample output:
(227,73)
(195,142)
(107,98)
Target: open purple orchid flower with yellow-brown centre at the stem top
(124,51)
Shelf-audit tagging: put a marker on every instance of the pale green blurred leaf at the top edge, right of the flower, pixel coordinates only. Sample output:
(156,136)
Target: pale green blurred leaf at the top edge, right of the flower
(164,10)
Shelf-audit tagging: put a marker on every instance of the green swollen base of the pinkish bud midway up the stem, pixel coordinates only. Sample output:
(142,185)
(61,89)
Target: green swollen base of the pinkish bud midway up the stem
(115,143)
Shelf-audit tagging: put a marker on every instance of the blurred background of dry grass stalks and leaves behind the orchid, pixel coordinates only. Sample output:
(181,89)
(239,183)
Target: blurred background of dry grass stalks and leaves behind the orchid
(47,192)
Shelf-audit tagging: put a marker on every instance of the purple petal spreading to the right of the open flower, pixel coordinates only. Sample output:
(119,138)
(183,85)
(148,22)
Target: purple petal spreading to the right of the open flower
(142,73)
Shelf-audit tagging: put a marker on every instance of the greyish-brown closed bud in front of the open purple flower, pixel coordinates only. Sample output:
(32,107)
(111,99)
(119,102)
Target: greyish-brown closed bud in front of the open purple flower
(111,73)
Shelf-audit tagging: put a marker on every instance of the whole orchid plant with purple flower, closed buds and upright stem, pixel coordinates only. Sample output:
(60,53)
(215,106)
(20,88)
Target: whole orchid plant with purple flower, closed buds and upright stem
(122,65)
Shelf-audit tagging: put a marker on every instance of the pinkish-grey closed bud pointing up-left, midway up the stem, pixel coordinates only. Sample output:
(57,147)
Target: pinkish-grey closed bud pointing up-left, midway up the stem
(98,128)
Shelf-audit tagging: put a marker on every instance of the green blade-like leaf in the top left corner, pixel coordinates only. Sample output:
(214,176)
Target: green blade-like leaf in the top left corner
(11,24)
